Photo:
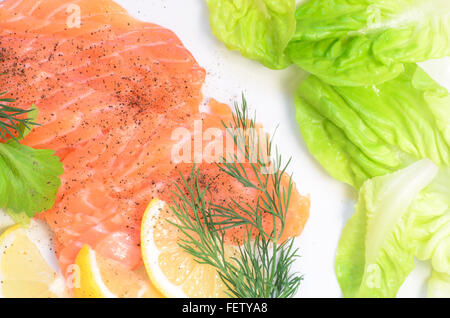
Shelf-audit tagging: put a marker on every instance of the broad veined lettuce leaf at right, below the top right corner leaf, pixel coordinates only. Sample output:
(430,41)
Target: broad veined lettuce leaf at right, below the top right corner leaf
(357,133)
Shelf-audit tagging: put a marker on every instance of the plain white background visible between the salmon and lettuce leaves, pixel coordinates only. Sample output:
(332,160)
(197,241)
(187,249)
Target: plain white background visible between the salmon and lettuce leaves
(271,93)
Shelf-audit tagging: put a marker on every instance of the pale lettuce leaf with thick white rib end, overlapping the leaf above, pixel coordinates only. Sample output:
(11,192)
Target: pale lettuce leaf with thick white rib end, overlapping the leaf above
(375,253)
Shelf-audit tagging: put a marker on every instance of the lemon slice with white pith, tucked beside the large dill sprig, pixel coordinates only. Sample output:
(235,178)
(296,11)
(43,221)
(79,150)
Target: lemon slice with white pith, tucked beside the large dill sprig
(172,270)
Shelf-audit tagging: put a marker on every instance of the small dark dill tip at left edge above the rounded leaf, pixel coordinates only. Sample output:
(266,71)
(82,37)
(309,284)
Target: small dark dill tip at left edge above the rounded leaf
(13,121)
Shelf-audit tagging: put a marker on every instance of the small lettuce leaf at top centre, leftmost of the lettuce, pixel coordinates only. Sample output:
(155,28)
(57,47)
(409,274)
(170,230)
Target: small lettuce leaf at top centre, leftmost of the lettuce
(259,29)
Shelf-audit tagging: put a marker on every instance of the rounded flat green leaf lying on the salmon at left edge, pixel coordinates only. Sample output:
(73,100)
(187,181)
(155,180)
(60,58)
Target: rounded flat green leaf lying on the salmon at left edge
(29,179)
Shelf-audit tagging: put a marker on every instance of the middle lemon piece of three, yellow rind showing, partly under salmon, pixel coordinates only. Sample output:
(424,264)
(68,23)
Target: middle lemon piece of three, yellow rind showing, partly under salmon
(100,277)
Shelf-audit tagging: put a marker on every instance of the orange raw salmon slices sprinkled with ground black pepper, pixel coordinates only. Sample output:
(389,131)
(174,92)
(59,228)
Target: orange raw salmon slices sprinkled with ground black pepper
(110,92)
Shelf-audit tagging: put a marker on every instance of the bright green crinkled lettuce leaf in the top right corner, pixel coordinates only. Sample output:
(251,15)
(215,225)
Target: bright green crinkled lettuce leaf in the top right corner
(365,42)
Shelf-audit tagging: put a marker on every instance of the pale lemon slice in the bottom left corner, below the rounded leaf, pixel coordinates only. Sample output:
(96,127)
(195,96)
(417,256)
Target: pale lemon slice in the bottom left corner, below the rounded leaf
(28,266)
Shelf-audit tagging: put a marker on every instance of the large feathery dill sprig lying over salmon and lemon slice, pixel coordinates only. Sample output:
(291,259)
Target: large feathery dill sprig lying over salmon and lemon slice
(259,266)
